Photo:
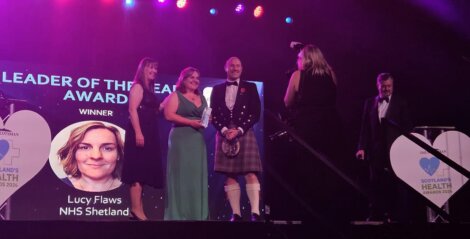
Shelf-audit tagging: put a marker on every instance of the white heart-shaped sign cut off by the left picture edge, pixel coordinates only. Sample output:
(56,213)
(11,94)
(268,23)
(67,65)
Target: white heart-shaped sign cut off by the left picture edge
(25,141)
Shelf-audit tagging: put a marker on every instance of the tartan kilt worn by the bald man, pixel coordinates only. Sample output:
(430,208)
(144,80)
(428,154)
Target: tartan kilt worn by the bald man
(247,161)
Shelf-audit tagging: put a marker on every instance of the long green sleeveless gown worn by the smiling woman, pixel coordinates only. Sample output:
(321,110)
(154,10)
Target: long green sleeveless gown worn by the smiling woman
(187,188)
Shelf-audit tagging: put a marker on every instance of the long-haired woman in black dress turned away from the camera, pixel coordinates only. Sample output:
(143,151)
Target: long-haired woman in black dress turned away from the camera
(311,100)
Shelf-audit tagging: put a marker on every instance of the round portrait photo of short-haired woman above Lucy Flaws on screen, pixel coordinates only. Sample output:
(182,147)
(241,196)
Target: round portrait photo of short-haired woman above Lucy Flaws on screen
(91,157)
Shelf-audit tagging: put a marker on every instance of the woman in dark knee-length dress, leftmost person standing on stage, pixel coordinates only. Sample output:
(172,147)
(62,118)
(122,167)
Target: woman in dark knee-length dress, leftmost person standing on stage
(142,154)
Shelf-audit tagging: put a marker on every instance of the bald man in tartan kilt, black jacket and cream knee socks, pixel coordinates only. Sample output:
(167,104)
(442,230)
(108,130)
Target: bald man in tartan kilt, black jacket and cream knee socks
(236,108)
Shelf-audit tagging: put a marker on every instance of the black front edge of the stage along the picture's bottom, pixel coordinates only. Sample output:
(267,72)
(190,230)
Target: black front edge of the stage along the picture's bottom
(218,229)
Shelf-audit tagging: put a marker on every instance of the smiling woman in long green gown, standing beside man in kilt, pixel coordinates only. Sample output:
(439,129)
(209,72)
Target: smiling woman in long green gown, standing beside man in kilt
(186,194)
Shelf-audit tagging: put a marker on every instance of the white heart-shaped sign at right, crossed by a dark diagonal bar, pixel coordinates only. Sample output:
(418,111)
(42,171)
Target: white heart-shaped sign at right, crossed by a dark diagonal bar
(424,172)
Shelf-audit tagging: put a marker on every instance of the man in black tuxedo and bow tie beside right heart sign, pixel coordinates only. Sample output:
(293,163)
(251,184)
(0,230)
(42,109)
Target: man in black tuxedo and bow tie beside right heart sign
(376,138)
